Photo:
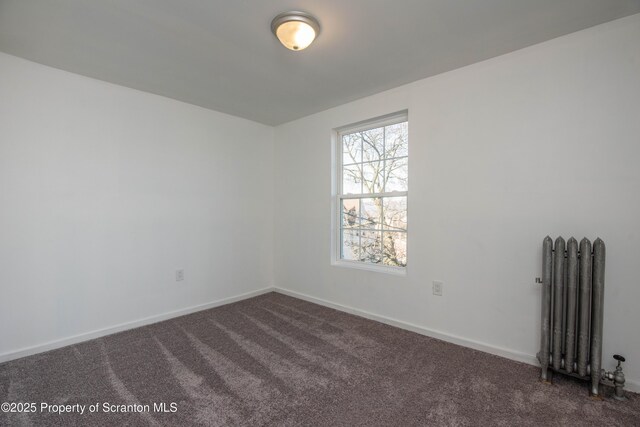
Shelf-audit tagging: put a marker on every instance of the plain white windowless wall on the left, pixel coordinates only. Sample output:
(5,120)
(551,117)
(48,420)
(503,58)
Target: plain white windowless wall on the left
(105,191)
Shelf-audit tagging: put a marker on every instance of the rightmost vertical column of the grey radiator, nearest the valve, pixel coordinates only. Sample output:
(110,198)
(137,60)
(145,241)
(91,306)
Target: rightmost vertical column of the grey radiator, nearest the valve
(597,311)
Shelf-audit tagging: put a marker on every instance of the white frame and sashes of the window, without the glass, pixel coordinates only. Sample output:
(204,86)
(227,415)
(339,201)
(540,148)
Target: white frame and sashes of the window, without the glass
(337,195)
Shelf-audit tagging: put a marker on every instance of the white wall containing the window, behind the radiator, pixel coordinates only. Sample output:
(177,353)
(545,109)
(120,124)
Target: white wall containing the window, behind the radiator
(541,141)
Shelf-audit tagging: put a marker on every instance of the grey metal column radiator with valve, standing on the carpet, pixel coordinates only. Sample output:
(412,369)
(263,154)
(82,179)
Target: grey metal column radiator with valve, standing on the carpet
(572,313)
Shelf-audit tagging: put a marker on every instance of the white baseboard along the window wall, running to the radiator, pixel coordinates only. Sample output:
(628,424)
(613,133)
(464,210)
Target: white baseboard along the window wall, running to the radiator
(530,359)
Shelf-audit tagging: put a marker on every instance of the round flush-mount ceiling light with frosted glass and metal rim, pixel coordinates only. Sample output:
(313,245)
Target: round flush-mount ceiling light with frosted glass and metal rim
(295,30)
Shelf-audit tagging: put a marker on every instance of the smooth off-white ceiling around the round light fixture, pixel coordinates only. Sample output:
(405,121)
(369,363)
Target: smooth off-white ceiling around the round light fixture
(220,54)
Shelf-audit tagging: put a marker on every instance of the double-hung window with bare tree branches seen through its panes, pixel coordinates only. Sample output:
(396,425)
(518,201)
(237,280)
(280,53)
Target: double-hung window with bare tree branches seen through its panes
(372,192)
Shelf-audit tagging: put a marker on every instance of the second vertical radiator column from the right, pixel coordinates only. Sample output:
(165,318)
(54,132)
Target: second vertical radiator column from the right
(583,307)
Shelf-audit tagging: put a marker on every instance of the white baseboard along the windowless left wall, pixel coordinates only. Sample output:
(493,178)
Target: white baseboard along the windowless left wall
(52,345)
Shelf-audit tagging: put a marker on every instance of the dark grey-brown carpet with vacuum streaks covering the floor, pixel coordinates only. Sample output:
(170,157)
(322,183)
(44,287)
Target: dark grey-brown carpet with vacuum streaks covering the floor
(276,360)
